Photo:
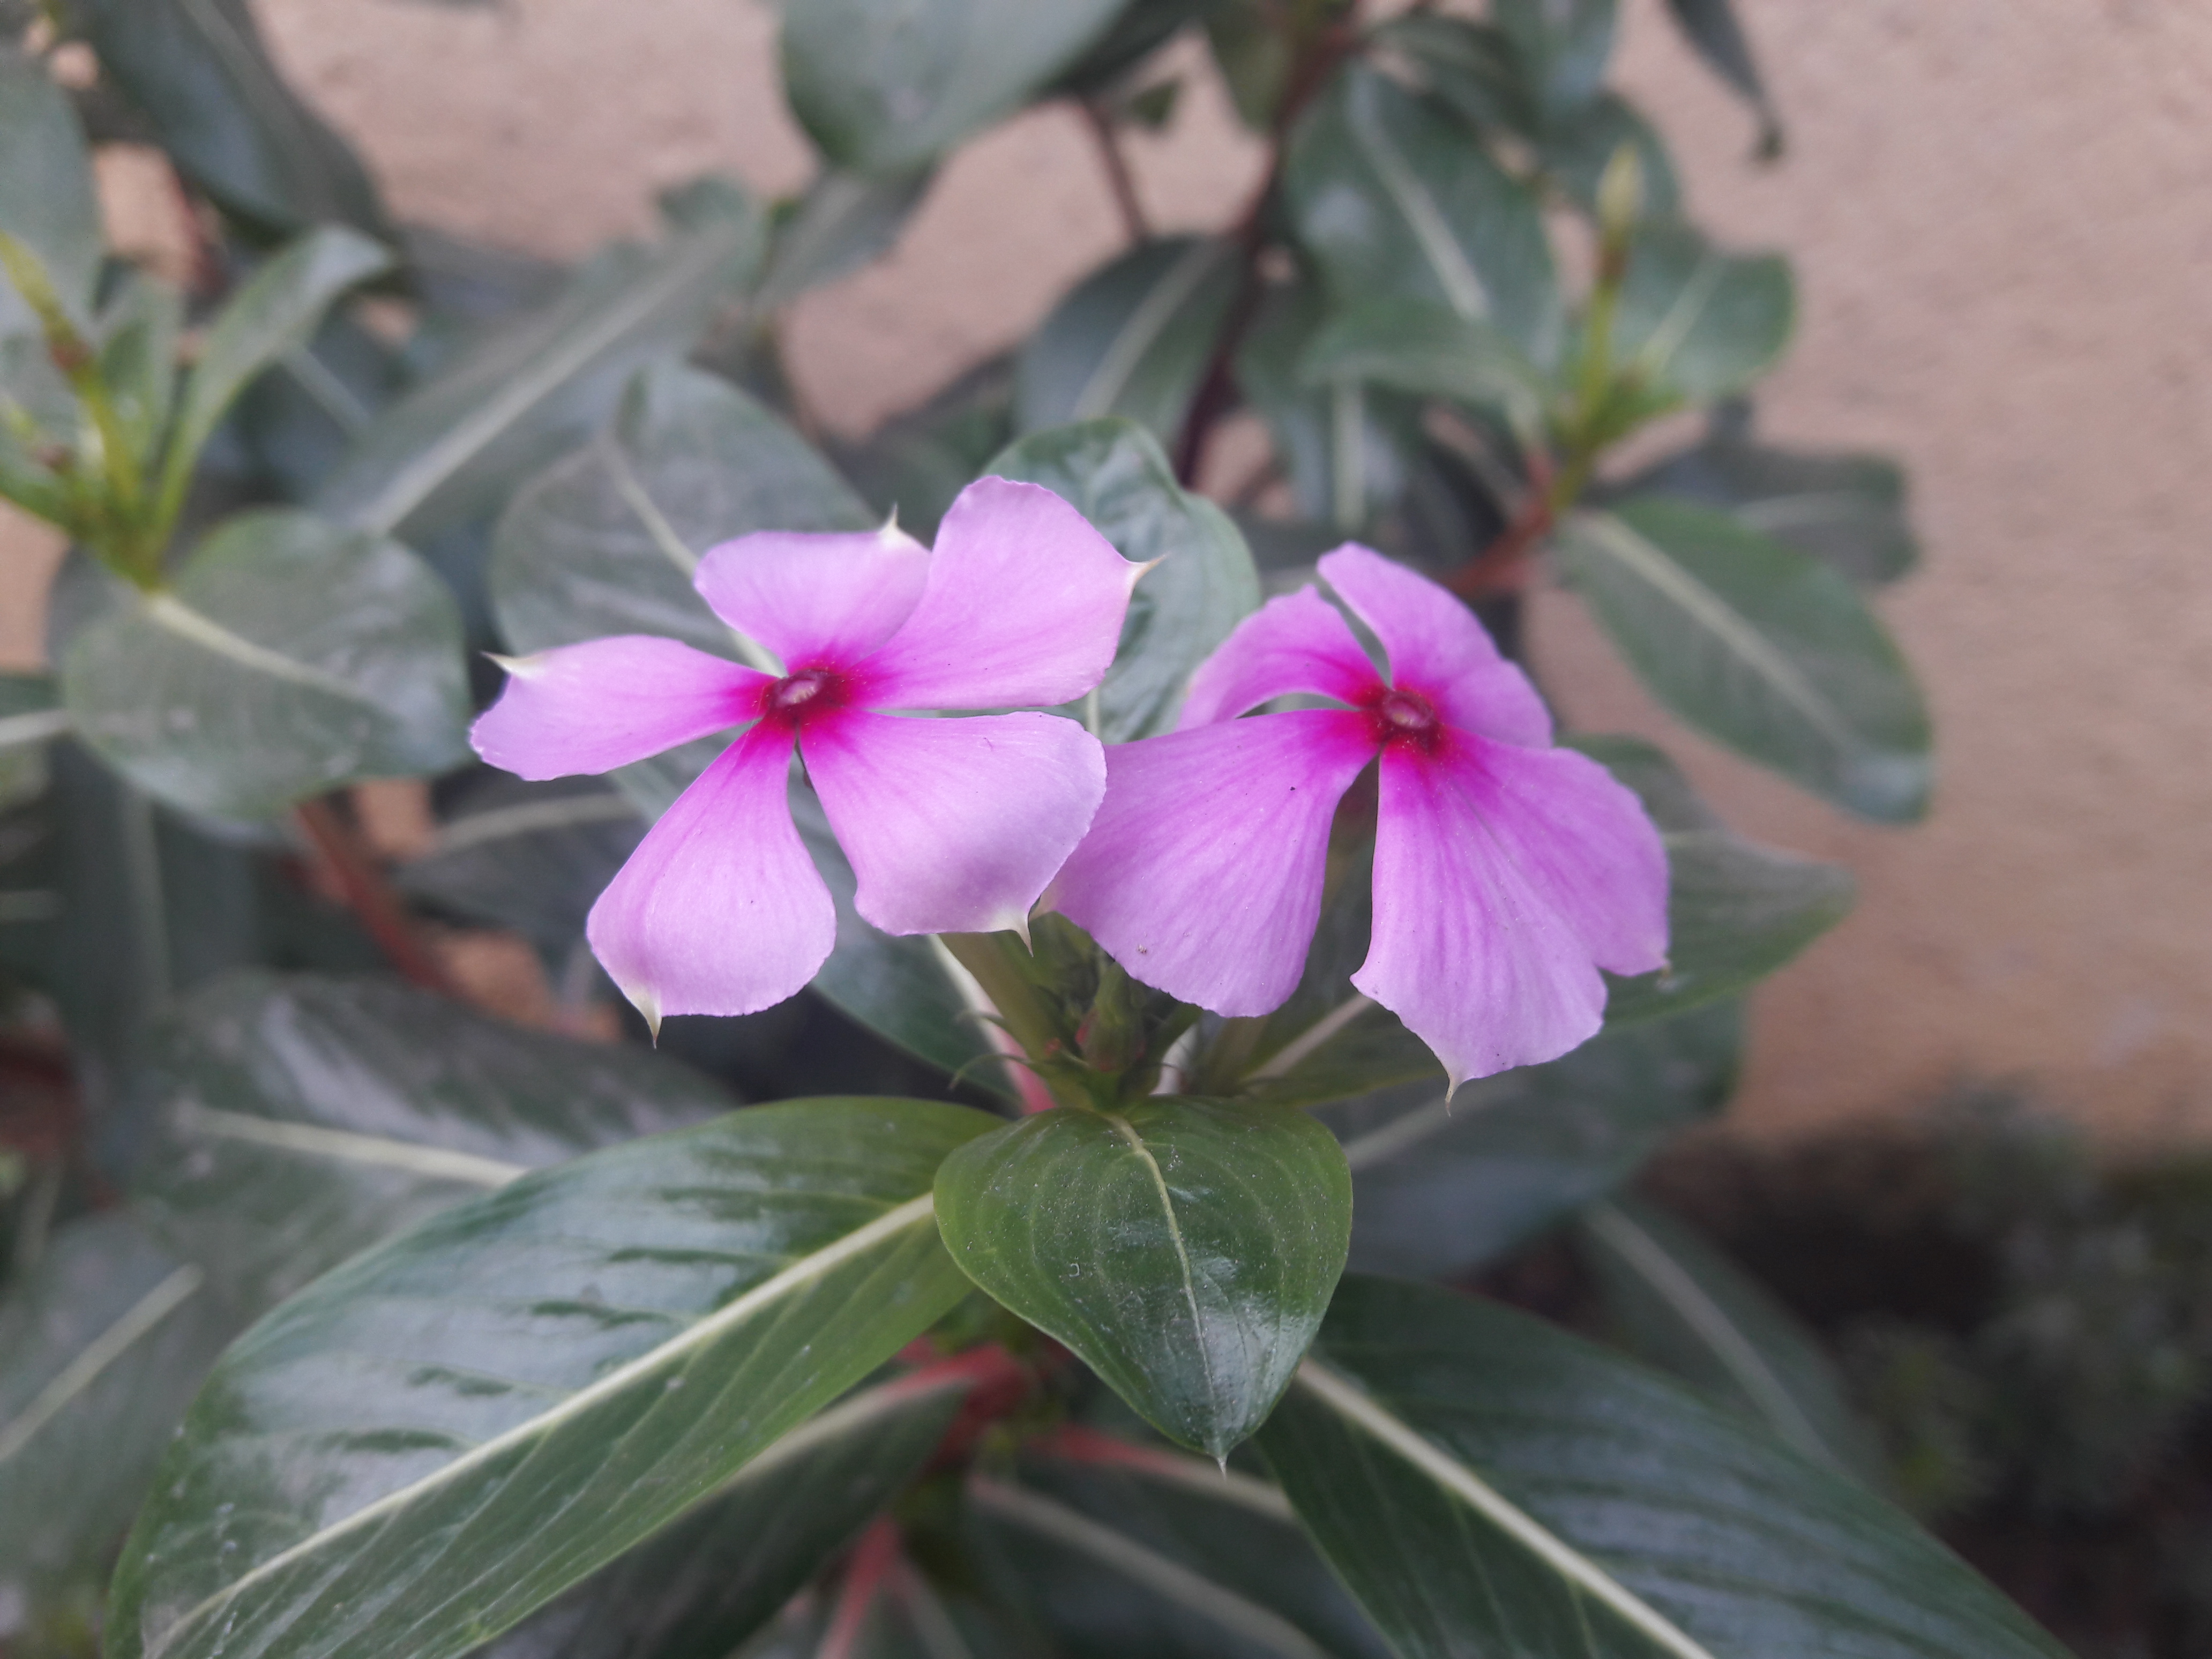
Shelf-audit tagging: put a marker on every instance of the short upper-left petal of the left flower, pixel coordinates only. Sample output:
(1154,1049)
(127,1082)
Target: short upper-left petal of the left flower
(815,601)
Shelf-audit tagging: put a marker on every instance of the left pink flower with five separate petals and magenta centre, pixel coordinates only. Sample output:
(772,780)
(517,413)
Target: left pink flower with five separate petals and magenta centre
(952,826)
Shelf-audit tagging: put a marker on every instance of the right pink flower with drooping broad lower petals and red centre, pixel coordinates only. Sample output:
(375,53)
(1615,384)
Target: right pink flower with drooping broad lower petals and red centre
(1507,873)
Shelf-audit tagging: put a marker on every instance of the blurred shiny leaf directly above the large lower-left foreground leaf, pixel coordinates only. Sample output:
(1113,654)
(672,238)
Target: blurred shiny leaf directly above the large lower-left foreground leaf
(293,1120)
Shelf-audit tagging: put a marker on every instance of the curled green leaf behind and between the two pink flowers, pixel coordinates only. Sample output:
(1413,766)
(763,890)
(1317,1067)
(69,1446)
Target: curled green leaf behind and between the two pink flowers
(1204,583)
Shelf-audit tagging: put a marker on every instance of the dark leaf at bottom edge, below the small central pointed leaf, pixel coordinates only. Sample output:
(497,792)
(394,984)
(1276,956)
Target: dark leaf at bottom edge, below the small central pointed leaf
(1160,1556)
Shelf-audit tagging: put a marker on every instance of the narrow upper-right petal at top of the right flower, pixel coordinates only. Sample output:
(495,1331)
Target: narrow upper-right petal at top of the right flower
(1437,647)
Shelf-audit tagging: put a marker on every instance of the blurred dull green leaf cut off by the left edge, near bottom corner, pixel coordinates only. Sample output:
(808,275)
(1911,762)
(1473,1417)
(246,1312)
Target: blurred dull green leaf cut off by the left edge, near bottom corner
(103,1344)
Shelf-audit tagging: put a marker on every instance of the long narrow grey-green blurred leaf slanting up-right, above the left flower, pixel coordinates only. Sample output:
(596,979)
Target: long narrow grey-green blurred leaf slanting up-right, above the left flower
(461,441)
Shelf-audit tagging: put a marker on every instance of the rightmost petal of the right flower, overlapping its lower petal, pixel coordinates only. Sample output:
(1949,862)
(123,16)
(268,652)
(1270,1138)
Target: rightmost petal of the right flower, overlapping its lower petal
(1583,844)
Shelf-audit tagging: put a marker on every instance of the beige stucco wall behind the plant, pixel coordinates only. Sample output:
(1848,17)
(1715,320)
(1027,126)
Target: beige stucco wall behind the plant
(2003,225)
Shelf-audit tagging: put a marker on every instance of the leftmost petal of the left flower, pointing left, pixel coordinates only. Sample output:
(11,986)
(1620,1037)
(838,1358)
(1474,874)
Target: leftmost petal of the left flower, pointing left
(609,702)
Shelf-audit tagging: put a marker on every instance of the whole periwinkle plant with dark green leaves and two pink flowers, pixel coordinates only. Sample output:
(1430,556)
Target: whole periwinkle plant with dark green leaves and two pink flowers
(1127,950)
